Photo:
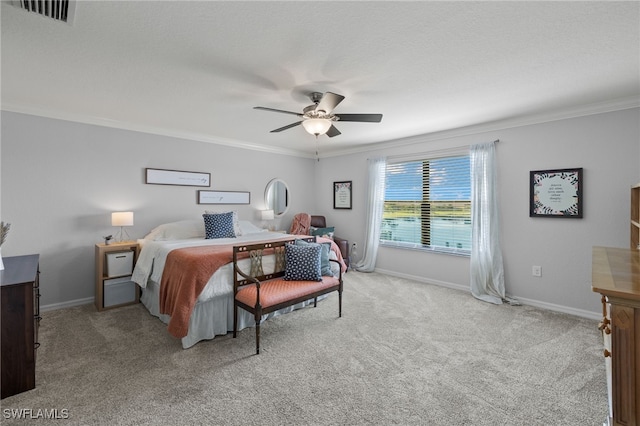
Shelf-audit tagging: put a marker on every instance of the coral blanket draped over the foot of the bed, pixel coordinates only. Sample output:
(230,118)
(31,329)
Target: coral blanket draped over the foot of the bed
(186,273)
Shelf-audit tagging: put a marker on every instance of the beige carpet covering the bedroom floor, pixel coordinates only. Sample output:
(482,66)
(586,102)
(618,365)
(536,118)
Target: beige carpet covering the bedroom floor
(403,353)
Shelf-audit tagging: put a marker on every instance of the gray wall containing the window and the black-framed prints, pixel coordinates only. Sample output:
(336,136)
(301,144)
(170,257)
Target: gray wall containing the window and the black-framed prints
(606,145)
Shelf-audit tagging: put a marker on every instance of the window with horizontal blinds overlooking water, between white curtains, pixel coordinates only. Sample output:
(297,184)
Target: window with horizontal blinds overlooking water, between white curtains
(428,204)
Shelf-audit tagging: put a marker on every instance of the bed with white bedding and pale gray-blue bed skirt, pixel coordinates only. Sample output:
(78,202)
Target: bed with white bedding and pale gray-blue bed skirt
(212,313)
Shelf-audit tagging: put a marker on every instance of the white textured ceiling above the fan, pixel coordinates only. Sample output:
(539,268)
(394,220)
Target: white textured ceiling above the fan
(197,69)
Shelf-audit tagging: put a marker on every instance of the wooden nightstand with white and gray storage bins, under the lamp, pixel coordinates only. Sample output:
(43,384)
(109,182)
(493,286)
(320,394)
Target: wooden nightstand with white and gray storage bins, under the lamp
(114,266)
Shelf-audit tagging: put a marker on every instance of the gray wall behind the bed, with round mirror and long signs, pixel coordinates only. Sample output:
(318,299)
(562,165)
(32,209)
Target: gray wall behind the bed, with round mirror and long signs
(61,181)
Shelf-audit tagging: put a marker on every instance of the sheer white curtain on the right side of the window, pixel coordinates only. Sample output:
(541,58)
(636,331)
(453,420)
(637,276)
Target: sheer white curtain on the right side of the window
(487,270)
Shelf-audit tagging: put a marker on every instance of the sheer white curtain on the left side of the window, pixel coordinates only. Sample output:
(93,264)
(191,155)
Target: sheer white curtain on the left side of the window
(375,207)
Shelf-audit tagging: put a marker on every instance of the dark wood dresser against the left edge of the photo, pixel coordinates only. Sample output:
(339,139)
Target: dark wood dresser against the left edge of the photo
(19,321)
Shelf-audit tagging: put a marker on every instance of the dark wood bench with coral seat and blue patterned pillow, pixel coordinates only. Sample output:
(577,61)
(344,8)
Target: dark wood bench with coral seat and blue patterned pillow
(296,278)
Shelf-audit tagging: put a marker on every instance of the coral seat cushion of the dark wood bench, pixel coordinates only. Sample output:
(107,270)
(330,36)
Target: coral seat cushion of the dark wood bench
(279,290)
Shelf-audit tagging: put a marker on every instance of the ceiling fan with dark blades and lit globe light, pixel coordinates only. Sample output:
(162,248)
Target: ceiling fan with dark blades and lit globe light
(318,119)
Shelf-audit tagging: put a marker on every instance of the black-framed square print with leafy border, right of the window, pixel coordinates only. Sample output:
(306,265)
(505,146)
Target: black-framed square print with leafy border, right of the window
(556,193)
